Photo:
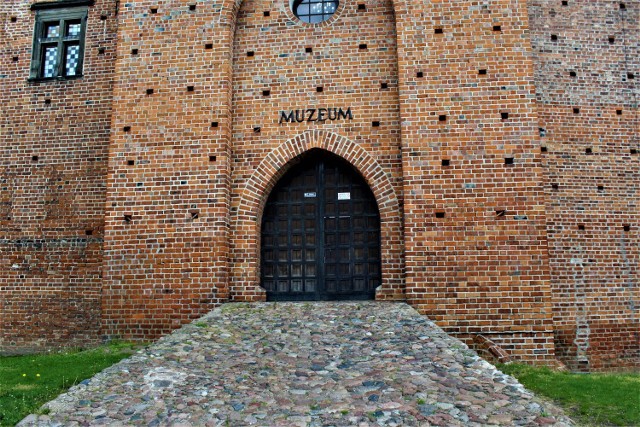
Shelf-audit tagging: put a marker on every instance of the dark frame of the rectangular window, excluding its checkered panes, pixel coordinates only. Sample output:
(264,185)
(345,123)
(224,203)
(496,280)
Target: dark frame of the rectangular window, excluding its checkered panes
(61,12)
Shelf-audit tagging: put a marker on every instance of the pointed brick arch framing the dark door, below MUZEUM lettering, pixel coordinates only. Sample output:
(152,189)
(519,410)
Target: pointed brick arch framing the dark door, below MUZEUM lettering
(245,282)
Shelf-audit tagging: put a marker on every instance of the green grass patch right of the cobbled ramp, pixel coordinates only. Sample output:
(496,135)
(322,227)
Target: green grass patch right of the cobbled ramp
(590,399)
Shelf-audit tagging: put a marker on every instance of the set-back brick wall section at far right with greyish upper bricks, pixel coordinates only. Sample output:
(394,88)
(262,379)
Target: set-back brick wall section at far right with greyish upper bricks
(592,175)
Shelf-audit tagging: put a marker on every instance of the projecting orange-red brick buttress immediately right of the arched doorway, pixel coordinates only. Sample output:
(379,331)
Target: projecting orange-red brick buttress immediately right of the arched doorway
(483,267)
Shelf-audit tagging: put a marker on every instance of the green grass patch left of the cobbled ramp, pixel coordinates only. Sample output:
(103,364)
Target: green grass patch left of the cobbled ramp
(27,382)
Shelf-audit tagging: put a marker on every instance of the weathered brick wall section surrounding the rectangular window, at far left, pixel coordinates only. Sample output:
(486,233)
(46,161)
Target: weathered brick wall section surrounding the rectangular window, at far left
(52,208)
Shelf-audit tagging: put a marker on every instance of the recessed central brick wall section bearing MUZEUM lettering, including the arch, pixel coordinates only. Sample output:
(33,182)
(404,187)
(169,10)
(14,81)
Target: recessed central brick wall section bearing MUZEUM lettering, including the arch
(352,55)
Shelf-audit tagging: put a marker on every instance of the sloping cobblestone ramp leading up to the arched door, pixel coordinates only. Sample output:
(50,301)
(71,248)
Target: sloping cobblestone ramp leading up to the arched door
(303,364)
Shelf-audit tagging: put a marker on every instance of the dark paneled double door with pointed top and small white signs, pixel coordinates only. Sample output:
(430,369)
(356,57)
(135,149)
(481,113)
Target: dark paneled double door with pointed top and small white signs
(320,233)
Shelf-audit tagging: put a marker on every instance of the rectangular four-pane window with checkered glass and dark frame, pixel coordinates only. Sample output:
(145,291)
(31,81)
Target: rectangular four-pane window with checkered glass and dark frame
(58,40)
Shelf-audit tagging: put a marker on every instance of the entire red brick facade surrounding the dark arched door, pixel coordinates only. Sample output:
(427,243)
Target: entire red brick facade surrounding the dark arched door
(504,162)
